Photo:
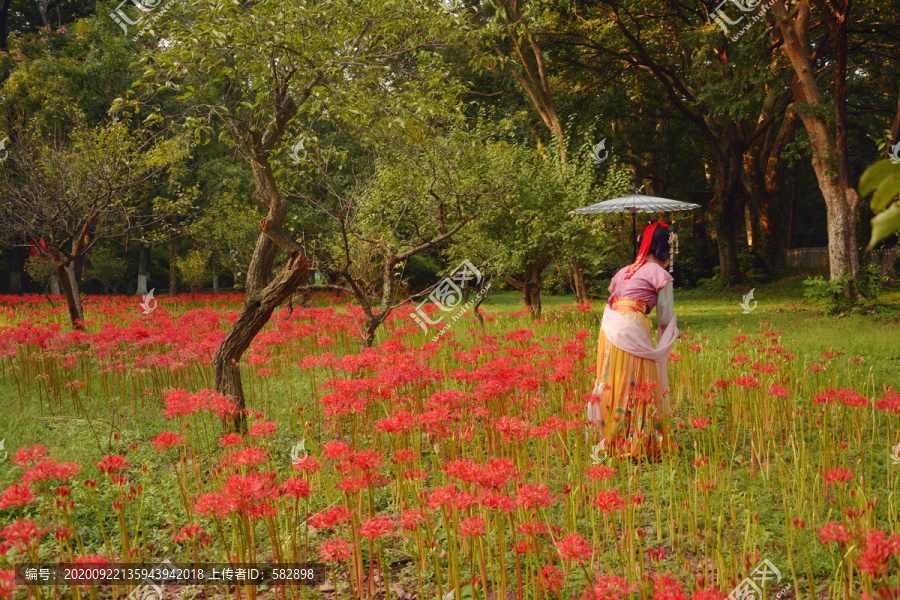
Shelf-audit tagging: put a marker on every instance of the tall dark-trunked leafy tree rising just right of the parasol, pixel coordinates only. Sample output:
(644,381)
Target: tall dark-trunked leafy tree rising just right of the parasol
(705,79)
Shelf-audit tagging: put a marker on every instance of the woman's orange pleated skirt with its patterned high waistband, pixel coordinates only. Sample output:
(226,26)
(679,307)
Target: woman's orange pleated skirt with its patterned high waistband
(625,407)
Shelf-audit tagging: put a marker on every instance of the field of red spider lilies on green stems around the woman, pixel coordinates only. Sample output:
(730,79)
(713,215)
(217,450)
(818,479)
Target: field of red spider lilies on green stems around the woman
(452,469)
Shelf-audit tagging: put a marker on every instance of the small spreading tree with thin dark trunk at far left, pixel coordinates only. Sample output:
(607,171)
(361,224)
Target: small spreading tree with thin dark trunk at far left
(69,194)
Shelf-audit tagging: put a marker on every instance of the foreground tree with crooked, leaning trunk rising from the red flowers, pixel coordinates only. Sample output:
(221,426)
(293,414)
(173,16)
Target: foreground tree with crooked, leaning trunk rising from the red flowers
(258,67)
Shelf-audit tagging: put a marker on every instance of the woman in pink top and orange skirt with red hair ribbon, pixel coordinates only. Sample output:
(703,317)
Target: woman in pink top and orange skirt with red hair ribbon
(630,402)
